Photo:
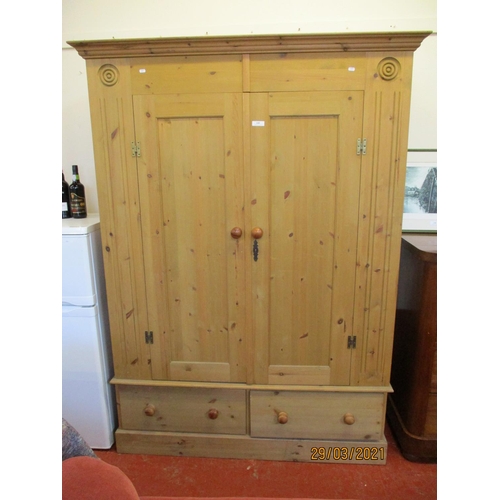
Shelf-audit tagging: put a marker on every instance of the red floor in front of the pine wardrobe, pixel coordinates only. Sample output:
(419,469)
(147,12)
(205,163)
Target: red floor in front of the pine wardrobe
(186,476)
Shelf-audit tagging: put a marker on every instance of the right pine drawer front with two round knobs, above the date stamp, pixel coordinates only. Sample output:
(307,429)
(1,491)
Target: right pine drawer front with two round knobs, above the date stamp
(311,415)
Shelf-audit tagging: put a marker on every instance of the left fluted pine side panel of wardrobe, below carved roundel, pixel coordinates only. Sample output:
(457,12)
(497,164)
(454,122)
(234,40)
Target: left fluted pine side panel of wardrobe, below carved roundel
(121,230)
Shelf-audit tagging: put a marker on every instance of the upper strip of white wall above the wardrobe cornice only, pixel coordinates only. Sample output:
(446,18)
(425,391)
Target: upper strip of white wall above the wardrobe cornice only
(93,19)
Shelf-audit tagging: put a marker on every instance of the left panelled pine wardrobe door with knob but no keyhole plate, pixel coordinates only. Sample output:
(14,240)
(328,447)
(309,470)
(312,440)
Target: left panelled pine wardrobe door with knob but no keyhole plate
(191,190)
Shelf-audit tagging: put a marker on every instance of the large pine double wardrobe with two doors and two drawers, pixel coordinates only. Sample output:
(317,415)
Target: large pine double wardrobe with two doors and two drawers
(251,193)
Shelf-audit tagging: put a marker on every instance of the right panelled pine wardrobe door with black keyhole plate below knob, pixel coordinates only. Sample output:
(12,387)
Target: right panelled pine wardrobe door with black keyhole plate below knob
(304,196)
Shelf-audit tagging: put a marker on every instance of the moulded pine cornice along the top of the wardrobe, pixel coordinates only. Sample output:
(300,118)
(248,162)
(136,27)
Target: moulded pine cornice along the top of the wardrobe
(251,44)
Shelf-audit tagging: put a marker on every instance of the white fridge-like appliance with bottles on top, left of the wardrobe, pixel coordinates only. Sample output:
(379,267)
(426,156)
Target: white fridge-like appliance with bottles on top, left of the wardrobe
(88,401)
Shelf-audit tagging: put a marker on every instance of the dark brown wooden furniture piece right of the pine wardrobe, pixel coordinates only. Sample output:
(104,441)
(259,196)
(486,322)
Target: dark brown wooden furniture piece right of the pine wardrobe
(412,408)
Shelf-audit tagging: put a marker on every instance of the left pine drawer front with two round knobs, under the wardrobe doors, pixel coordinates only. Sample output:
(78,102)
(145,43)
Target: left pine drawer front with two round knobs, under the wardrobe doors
(179,409)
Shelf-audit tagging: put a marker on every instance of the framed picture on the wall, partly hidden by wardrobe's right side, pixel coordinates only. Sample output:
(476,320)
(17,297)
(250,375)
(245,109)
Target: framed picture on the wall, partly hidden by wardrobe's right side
(420,203)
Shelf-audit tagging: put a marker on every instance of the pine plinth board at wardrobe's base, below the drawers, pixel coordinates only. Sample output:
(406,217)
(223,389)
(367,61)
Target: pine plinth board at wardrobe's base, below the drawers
(245,447)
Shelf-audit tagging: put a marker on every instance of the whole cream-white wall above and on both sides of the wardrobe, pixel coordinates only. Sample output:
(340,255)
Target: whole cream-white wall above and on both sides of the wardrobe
(103,19)
